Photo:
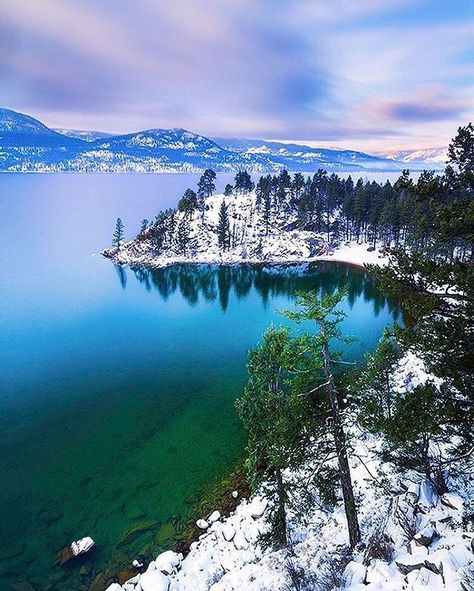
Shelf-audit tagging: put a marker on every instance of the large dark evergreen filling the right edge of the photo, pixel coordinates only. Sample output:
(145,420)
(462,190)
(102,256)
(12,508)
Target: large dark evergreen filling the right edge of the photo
(436,284)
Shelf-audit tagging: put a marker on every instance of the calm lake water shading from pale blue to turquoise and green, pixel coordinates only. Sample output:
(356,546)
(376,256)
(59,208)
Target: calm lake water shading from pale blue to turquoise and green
(117,387)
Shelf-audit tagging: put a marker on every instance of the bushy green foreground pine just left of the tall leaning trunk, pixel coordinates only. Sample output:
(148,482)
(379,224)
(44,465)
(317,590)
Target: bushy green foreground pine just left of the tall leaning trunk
(274,417)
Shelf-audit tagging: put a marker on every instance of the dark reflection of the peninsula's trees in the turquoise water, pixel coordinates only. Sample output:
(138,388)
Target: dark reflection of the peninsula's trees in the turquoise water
(213,282)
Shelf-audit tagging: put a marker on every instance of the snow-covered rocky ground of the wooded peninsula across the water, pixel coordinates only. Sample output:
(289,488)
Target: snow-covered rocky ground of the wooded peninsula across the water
(251,243)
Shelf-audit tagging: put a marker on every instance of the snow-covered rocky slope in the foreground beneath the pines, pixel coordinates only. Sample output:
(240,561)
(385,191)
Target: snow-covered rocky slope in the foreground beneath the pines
(414,540)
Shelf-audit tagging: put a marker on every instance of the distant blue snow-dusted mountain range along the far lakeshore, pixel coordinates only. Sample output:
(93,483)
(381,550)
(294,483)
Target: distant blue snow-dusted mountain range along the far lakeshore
(27,145)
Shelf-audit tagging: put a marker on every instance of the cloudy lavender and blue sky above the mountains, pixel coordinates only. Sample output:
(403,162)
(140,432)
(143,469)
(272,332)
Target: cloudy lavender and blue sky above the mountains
(373,75)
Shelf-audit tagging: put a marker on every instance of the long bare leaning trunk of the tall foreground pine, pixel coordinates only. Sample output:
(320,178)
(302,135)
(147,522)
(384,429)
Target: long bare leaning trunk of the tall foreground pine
(340,444)
